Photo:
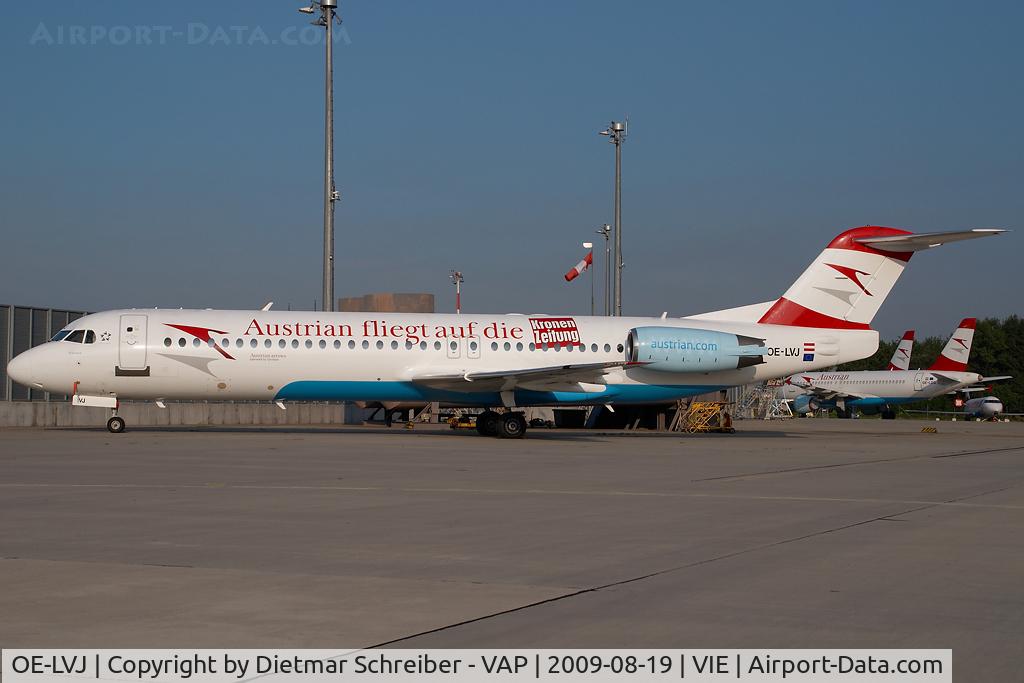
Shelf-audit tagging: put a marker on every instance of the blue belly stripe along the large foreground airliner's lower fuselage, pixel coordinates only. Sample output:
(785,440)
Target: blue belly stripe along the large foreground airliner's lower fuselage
(412,393)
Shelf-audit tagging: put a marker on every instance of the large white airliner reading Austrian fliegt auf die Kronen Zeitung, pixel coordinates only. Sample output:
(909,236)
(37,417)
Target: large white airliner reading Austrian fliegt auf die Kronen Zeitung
(485,361)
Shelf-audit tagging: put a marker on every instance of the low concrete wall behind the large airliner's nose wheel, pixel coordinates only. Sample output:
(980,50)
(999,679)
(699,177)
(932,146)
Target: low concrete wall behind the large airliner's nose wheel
(24,414)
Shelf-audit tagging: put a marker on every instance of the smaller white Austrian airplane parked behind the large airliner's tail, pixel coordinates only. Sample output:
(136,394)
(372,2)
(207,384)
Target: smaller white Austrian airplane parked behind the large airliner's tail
(880,392)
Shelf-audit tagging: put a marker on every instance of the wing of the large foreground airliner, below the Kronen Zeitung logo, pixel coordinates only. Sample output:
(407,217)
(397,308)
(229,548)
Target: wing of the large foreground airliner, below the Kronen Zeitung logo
(585,377)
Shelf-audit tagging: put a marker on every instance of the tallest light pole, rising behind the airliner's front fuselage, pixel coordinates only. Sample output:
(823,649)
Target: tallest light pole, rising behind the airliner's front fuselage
(329,15)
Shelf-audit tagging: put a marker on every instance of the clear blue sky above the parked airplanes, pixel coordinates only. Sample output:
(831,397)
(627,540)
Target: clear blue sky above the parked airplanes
(186,170)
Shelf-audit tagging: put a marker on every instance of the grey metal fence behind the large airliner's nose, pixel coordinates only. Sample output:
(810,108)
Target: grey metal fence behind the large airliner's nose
(21,329)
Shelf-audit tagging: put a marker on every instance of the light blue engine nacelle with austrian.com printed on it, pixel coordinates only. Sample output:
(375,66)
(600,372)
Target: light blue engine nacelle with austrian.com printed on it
(692,351)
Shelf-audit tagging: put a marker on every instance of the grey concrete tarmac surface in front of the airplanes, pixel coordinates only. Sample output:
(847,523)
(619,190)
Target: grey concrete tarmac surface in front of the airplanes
(798,534)
